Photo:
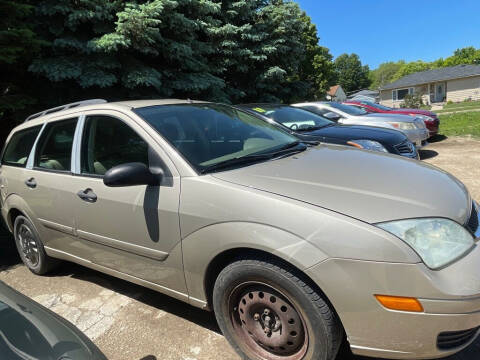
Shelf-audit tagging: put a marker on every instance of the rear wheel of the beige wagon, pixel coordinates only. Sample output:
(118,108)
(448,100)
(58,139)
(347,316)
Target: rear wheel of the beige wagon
(24,231)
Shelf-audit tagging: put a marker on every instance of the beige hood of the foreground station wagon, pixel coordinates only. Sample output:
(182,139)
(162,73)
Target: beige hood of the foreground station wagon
(372,187)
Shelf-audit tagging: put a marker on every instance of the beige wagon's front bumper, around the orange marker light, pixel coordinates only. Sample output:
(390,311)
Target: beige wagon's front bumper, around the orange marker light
(450,297)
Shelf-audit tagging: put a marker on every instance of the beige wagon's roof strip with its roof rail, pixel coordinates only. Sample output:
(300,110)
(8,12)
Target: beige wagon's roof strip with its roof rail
(97,104)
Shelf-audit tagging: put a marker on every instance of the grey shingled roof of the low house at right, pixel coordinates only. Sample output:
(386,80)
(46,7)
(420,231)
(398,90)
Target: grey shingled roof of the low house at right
(440,74)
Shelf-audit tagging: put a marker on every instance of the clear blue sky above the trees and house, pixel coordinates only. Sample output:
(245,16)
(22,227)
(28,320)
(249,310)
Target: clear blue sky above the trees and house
(384,30)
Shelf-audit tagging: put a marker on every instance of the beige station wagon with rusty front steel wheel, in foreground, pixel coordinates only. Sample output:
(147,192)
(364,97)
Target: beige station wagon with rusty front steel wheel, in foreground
(293,246)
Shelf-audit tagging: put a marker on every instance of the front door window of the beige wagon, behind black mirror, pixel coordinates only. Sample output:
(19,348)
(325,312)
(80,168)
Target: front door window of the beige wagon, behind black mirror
(108,142)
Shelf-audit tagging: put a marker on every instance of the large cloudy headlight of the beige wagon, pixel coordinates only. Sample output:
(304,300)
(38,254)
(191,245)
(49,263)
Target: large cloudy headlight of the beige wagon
(437,241)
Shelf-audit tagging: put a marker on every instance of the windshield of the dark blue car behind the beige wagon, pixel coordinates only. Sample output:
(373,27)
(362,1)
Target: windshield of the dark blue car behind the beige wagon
(292,117)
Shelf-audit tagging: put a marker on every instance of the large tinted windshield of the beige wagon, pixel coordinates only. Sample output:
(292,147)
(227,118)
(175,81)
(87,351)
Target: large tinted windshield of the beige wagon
(210,134)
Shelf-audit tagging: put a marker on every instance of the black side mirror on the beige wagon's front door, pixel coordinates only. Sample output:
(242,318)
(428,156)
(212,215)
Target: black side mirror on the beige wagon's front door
(131,174)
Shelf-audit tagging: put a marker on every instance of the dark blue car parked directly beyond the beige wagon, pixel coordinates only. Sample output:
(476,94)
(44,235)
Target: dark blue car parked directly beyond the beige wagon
(309,126)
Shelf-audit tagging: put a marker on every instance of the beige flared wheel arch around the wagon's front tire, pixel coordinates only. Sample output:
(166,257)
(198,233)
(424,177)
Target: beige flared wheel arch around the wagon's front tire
(202,246)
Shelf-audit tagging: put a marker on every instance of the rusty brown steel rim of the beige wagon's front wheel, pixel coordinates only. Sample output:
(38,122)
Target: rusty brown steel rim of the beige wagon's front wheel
(267,322)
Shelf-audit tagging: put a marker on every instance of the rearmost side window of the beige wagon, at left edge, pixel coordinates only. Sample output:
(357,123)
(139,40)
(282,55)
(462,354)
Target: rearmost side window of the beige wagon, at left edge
(19,147)
